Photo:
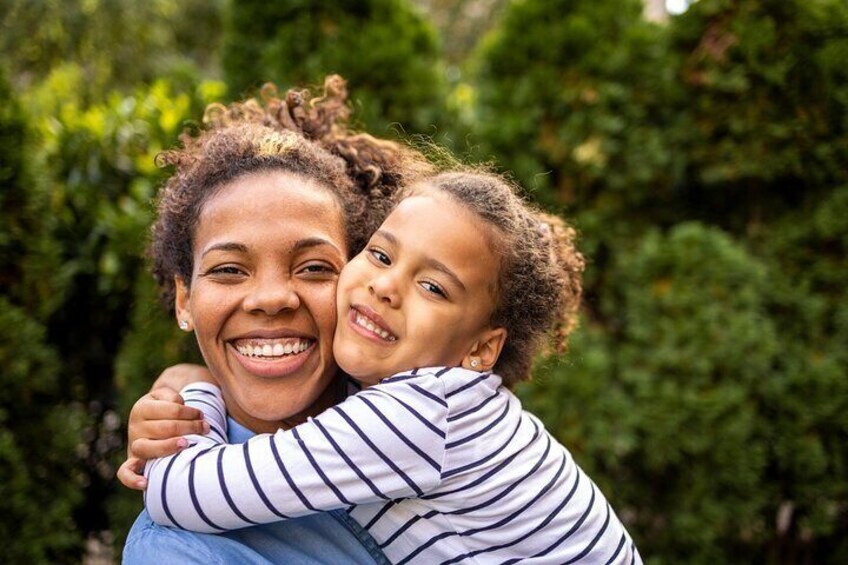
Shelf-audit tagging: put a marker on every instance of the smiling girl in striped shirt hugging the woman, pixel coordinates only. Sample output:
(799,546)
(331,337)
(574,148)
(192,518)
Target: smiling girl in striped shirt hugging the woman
(439,463)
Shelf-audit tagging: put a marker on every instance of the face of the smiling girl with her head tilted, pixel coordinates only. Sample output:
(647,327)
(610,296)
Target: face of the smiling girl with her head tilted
(420,294)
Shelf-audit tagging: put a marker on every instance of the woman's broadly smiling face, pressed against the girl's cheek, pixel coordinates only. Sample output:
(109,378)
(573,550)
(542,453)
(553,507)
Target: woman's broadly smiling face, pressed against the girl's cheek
(268,249)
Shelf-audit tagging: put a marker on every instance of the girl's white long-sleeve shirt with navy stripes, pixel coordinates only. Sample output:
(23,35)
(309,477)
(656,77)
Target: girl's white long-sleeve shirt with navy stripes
(440,465)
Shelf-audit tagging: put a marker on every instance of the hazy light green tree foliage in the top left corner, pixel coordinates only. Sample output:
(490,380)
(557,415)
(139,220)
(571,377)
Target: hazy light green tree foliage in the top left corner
(116,43)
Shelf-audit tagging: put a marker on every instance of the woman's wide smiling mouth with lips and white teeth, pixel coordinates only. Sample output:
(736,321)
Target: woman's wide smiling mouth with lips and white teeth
(269,357)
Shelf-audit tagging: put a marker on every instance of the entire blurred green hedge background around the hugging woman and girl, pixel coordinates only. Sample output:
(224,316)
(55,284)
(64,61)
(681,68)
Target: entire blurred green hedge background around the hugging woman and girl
(702,155)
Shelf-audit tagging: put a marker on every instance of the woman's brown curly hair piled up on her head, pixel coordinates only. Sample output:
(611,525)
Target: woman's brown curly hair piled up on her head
(300,133)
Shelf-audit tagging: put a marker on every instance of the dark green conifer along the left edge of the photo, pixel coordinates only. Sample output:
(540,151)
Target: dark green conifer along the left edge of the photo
(40,471)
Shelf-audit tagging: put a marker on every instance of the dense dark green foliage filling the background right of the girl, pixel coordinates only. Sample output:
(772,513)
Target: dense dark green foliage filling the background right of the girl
(704,163)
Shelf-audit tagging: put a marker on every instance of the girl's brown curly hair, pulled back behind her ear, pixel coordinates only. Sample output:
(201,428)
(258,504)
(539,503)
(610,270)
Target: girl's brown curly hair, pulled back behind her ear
(539,285)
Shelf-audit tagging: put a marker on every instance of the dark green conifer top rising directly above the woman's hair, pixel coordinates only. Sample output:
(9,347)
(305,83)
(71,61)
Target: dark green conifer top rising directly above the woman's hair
(388,53)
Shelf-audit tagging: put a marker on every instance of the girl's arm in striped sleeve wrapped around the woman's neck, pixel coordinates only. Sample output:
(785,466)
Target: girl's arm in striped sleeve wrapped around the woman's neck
(383,443)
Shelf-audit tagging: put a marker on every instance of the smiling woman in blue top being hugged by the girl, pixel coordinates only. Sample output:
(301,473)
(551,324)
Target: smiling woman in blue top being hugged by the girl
(278,194)
